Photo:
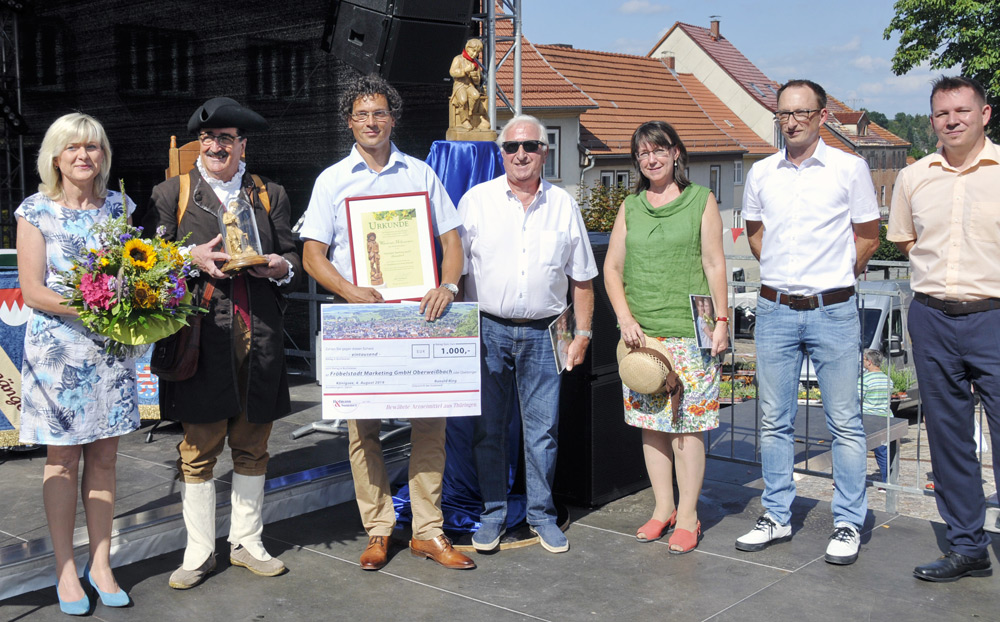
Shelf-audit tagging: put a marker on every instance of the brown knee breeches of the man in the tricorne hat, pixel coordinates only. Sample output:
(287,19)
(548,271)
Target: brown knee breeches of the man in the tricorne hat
(203,442)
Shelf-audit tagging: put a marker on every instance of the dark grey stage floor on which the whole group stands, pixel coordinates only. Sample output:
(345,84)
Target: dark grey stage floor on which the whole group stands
(606,575)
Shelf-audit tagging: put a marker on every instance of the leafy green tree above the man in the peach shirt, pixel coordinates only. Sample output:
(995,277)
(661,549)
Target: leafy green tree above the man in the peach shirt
(953,33)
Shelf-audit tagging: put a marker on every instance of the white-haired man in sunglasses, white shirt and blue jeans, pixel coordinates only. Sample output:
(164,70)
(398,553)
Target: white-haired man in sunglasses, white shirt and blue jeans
(526,247)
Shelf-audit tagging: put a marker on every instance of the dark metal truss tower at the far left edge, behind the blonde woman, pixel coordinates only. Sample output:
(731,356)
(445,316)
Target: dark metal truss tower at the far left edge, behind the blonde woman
(12,180)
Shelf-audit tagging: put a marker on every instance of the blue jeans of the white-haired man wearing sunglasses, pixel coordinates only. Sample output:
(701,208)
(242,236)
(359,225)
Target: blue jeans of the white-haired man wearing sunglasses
(517,364)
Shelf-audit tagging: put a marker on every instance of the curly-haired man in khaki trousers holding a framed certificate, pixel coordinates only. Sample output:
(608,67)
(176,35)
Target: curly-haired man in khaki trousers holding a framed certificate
(358,268)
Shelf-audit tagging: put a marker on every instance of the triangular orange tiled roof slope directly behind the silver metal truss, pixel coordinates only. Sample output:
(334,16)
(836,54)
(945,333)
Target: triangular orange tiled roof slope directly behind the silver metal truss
(541,85)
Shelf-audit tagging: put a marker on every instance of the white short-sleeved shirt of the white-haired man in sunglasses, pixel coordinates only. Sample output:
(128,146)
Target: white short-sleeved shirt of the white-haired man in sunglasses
(518,262)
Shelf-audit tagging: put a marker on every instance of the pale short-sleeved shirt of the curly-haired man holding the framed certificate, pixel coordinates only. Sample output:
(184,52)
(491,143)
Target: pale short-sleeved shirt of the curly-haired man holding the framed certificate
(325,219)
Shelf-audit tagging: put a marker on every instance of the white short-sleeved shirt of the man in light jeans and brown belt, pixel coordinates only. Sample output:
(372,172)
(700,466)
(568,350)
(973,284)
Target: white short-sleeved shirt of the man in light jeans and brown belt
(808,212)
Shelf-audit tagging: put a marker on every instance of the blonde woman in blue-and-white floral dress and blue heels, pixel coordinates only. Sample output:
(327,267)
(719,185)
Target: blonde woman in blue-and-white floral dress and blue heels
(76,399)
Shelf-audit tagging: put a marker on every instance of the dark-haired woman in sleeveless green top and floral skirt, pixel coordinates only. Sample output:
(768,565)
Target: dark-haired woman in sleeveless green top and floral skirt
(666,245)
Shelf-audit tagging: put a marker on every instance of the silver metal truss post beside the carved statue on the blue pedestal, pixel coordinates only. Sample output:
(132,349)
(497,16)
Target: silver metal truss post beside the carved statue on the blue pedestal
(499,10)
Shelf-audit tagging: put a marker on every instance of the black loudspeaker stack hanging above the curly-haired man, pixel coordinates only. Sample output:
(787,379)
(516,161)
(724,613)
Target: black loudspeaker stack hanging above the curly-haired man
(400,49)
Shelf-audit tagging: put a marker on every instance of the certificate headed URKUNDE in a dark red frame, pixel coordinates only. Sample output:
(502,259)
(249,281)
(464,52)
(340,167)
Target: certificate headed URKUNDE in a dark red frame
(392,244)
